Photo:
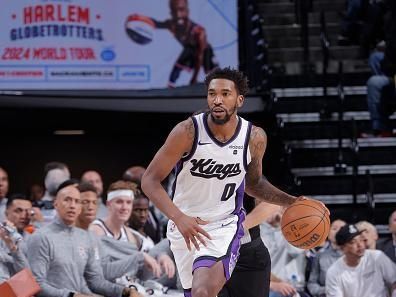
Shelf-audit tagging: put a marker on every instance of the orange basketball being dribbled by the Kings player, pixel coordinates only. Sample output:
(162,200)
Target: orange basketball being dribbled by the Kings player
(305,224)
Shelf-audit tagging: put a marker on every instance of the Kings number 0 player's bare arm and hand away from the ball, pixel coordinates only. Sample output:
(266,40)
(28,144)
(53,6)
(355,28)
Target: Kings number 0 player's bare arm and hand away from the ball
(179,141)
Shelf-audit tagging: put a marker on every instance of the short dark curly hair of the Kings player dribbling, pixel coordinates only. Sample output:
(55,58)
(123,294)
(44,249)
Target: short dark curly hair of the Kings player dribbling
(238,77)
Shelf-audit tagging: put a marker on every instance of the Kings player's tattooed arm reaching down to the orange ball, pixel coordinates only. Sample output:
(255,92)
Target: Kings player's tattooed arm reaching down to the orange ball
(257,185)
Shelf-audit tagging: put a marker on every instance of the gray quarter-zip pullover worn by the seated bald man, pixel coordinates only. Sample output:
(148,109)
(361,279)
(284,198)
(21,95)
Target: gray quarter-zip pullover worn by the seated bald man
(65,259)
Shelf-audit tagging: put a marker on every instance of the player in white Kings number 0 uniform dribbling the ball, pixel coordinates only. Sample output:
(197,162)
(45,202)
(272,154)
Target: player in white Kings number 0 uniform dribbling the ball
(216,154)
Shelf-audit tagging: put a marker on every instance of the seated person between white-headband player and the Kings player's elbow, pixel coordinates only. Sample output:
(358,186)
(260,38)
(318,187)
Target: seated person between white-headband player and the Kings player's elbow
(138,220)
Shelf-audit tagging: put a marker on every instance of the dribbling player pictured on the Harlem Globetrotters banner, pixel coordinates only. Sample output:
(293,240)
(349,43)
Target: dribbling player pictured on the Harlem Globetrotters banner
(196,53)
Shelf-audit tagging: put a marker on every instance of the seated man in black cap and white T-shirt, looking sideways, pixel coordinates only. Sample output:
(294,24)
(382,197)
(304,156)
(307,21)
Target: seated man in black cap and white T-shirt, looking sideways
(359,272)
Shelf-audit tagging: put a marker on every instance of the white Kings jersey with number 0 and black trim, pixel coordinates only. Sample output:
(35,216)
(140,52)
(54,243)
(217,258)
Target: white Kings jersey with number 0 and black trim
(210,180)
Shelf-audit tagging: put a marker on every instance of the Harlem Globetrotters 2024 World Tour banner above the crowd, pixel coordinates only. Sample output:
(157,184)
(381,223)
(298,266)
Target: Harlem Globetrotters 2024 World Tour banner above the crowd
(114,44)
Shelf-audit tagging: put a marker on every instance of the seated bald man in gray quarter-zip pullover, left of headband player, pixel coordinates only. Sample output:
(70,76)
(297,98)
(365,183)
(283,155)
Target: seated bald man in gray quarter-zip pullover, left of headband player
(63,258)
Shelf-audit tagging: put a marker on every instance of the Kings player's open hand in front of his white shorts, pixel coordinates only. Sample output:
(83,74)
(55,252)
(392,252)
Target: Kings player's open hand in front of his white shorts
(190,228)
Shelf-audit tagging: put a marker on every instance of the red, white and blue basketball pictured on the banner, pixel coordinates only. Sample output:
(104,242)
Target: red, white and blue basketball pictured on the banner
(140,28)
